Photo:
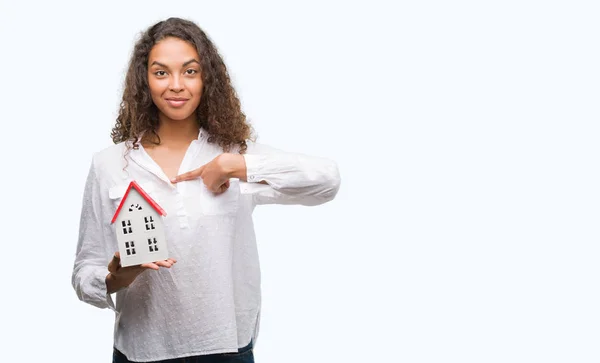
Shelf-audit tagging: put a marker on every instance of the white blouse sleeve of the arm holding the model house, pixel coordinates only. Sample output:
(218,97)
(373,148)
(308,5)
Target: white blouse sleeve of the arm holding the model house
(91,258)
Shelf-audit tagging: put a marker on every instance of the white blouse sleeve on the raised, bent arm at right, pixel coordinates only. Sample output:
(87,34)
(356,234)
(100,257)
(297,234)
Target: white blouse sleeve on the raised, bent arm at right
(292,178)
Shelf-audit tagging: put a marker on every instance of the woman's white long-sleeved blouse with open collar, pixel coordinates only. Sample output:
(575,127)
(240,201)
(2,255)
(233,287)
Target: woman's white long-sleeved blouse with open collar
(209,301)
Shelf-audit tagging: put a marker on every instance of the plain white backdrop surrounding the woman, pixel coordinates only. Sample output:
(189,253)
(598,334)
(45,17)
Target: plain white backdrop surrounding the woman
(466,133)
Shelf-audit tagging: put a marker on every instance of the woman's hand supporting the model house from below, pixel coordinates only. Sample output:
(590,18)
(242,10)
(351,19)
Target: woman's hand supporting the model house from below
(120,277)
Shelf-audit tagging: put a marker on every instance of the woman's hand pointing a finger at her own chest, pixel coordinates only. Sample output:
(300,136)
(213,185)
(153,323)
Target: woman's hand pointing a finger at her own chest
(215,174)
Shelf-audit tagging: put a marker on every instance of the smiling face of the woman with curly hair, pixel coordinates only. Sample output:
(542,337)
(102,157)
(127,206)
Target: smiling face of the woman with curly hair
(174,78)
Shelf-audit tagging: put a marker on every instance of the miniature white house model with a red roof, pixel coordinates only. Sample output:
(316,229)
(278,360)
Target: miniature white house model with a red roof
(139,228)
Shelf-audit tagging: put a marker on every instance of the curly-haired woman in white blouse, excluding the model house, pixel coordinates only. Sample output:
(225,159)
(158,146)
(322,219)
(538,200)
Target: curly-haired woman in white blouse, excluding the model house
(182,136)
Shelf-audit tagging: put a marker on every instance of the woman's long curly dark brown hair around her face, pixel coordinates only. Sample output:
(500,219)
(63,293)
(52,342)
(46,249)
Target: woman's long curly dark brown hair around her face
(219,111)
